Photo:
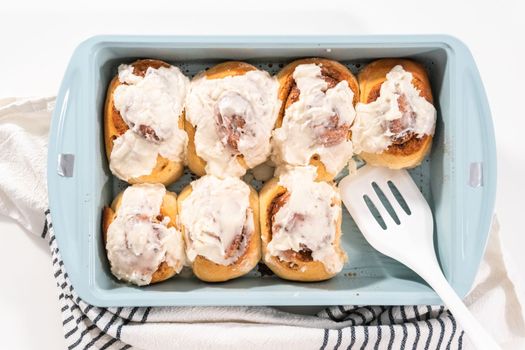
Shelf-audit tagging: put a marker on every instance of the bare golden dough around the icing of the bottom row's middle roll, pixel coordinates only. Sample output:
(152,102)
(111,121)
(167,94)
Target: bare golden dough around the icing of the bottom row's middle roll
(210,271)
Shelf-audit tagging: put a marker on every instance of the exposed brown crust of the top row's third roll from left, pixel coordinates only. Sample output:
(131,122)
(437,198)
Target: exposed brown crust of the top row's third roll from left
(335,131)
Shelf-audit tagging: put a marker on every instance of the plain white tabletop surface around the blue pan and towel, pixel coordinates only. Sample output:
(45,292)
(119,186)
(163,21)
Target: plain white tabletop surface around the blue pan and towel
(37,40)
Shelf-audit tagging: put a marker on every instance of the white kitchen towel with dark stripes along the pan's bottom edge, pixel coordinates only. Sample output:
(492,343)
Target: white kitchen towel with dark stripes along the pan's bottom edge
(339,327)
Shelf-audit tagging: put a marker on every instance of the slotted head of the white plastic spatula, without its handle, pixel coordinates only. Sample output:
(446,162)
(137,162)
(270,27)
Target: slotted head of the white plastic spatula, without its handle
(391,212)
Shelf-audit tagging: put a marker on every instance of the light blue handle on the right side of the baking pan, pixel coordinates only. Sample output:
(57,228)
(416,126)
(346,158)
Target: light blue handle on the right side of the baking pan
(476,165)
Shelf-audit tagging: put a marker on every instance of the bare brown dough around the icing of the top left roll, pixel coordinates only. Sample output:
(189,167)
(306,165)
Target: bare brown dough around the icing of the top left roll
(165,171)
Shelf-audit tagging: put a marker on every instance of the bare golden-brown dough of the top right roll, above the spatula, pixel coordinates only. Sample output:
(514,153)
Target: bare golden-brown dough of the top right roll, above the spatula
(411,152)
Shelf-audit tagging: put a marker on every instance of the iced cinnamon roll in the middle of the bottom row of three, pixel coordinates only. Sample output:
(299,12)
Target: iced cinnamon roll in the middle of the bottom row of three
(220,222)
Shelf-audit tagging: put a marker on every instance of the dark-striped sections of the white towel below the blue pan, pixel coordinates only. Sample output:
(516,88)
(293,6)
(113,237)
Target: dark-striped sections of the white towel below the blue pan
(354,327)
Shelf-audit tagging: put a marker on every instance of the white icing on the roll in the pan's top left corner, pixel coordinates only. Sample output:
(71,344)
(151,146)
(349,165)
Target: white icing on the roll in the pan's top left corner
(156,101)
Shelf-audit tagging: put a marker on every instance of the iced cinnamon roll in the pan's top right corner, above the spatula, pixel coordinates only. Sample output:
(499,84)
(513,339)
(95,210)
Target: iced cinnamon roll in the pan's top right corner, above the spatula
(395,117)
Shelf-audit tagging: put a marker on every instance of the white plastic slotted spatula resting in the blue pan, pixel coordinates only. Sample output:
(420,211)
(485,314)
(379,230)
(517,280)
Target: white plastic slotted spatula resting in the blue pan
(403,230)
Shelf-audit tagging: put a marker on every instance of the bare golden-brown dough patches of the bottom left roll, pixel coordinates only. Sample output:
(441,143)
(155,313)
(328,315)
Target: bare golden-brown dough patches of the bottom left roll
(168,208)
